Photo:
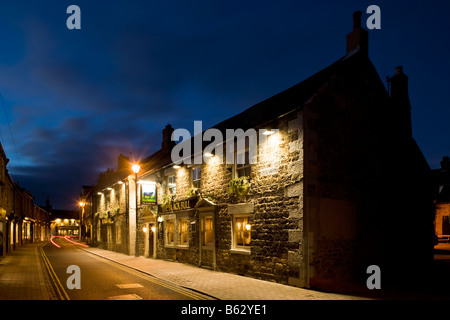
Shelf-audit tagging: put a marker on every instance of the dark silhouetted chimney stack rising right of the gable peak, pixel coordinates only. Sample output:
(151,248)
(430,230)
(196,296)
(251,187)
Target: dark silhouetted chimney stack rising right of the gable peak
(400,99)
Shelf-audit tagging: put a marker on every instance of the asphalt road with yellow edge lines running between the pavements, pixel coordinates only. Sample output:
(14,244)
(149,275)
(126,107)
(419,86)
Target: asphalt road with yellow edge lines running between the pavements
(100,279)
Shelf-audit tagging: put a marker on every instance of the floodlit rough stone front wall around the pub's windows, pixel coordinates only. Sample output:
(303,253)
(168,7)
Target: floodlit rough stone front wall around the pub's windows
(274,205)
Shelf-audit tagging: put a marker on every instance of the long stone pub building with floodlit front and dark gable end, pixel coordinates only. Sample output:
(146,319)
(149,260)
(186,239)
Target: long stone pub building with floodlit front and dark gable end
(319,200)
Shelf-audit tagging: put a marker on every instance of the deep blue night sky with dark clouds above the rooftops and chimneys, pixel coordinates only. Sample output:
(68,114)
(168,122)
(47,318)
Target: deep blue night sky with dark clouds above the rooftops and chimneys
(73,100)
